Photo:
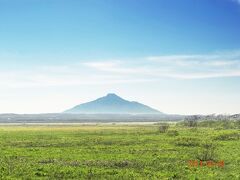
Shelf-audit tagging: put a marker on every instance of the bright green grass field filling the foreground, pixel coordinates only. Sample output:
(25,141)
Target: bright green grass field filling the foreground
(118,152)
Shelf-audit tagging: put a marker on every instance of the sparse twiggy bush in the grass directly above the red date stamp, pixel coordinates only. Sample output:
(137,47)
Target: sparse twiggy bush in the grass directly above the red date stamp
(207,152)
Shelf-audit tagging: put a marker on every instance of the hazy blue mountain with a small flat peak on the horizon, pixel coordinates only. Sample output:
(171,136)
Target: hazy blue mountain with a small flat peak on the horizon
(112,104)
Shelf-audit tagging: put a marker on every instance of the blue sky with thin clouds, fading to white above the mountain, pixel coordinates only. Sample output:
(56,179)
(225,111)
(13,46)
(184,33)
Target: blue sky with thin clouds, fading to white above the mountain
(180,57)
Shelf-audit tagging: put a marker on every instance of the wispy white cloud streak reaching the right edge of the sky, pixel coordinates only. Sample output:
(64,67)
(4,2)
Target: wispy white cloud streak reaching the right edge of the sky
(177,66)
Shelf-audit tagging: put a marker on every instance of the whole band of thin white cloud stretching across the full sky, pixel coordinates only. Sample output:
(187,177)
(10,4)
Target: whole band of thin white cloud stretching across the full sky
(200,66)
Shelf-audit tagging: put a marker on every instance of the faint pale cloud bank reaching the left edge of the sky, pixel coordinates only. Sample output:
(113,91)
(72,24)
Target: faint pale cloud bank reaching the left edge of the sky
(68,75)
